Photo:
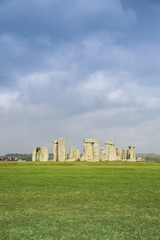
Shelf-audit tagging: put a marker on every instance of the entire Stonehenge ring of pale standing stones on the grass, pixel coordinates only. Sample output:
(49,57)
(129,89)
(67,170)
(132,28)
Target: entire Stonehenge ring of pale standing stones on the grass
(92,152)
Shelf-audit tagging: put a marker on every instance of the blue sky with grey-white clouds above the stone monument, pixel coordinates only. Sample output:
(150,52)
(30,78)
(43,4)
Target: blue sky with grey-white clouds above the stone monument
(79,68)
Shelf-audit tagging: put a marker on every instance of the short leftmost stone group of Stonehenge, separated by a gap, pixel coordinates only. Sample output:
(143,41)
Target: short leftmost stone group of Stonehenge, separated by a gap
(40,154)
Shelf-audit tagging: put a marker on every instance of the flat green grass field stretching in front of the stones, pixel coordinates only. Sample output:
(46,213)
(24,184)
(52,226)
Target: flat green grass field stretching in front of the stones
(106,200)
